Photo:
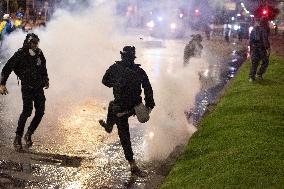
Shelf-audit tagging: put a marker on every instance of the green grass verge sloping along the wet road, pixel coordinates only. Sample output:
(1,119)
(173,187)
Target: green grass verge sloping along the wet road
(240,144)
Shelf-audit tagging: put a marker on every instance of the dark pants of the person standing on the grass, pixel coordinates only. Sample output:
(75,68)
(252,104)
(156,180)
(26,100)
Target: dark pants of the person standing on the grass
(258,55)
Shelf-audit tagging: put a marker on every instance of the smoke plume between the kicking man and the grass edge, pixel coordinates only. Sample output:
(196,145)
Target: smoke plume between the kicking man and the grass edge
(168,126)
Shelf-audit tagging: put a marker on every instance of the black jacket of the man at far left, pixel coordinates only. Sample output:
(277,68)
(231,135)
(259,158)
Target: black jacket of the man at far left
(31,70)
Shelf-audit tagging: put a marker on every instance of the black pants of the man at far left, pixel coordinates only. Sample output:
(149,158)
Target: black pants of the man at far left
(30,96)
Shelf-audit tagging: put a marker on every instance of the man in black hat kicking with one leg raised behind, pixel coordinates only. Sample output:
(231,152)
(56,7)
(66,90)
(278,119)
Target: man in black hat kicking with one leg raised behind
(126,79)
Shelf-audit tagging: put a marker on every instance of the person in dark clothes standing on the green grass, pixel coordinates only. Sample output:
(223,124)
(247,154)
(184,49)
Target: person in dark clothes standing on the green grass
(259,49)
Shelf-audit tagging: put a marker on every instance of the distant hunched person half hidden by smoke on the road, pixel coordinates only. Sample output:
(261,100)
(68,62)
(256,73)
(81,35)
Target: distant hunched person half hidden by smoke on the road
(193,48)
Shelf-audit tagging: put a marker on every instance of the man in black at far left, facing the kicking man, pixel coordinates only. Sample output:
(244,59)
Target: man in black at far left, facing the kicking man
(29,64)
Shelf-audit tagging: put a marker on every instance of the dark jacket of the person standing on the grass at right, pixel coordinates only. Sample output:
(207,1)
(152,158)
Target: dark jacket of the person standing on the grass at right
(259,39)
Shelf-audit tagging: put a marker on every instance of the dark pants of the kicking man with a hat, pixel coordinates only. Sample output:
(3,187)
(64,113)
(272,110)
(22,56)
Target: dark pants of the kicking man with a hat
(122,127)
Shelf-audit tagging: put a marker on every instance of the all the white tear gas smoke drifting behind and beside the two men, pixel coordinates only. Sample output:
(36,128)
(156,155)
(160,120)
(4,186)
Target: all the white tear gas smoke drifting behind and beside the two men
(79,48)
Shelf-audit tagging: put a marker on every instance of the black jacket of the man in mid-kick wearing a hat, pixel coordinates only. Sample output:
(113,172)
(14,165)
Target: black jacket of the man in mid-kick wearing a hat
(126,80)
